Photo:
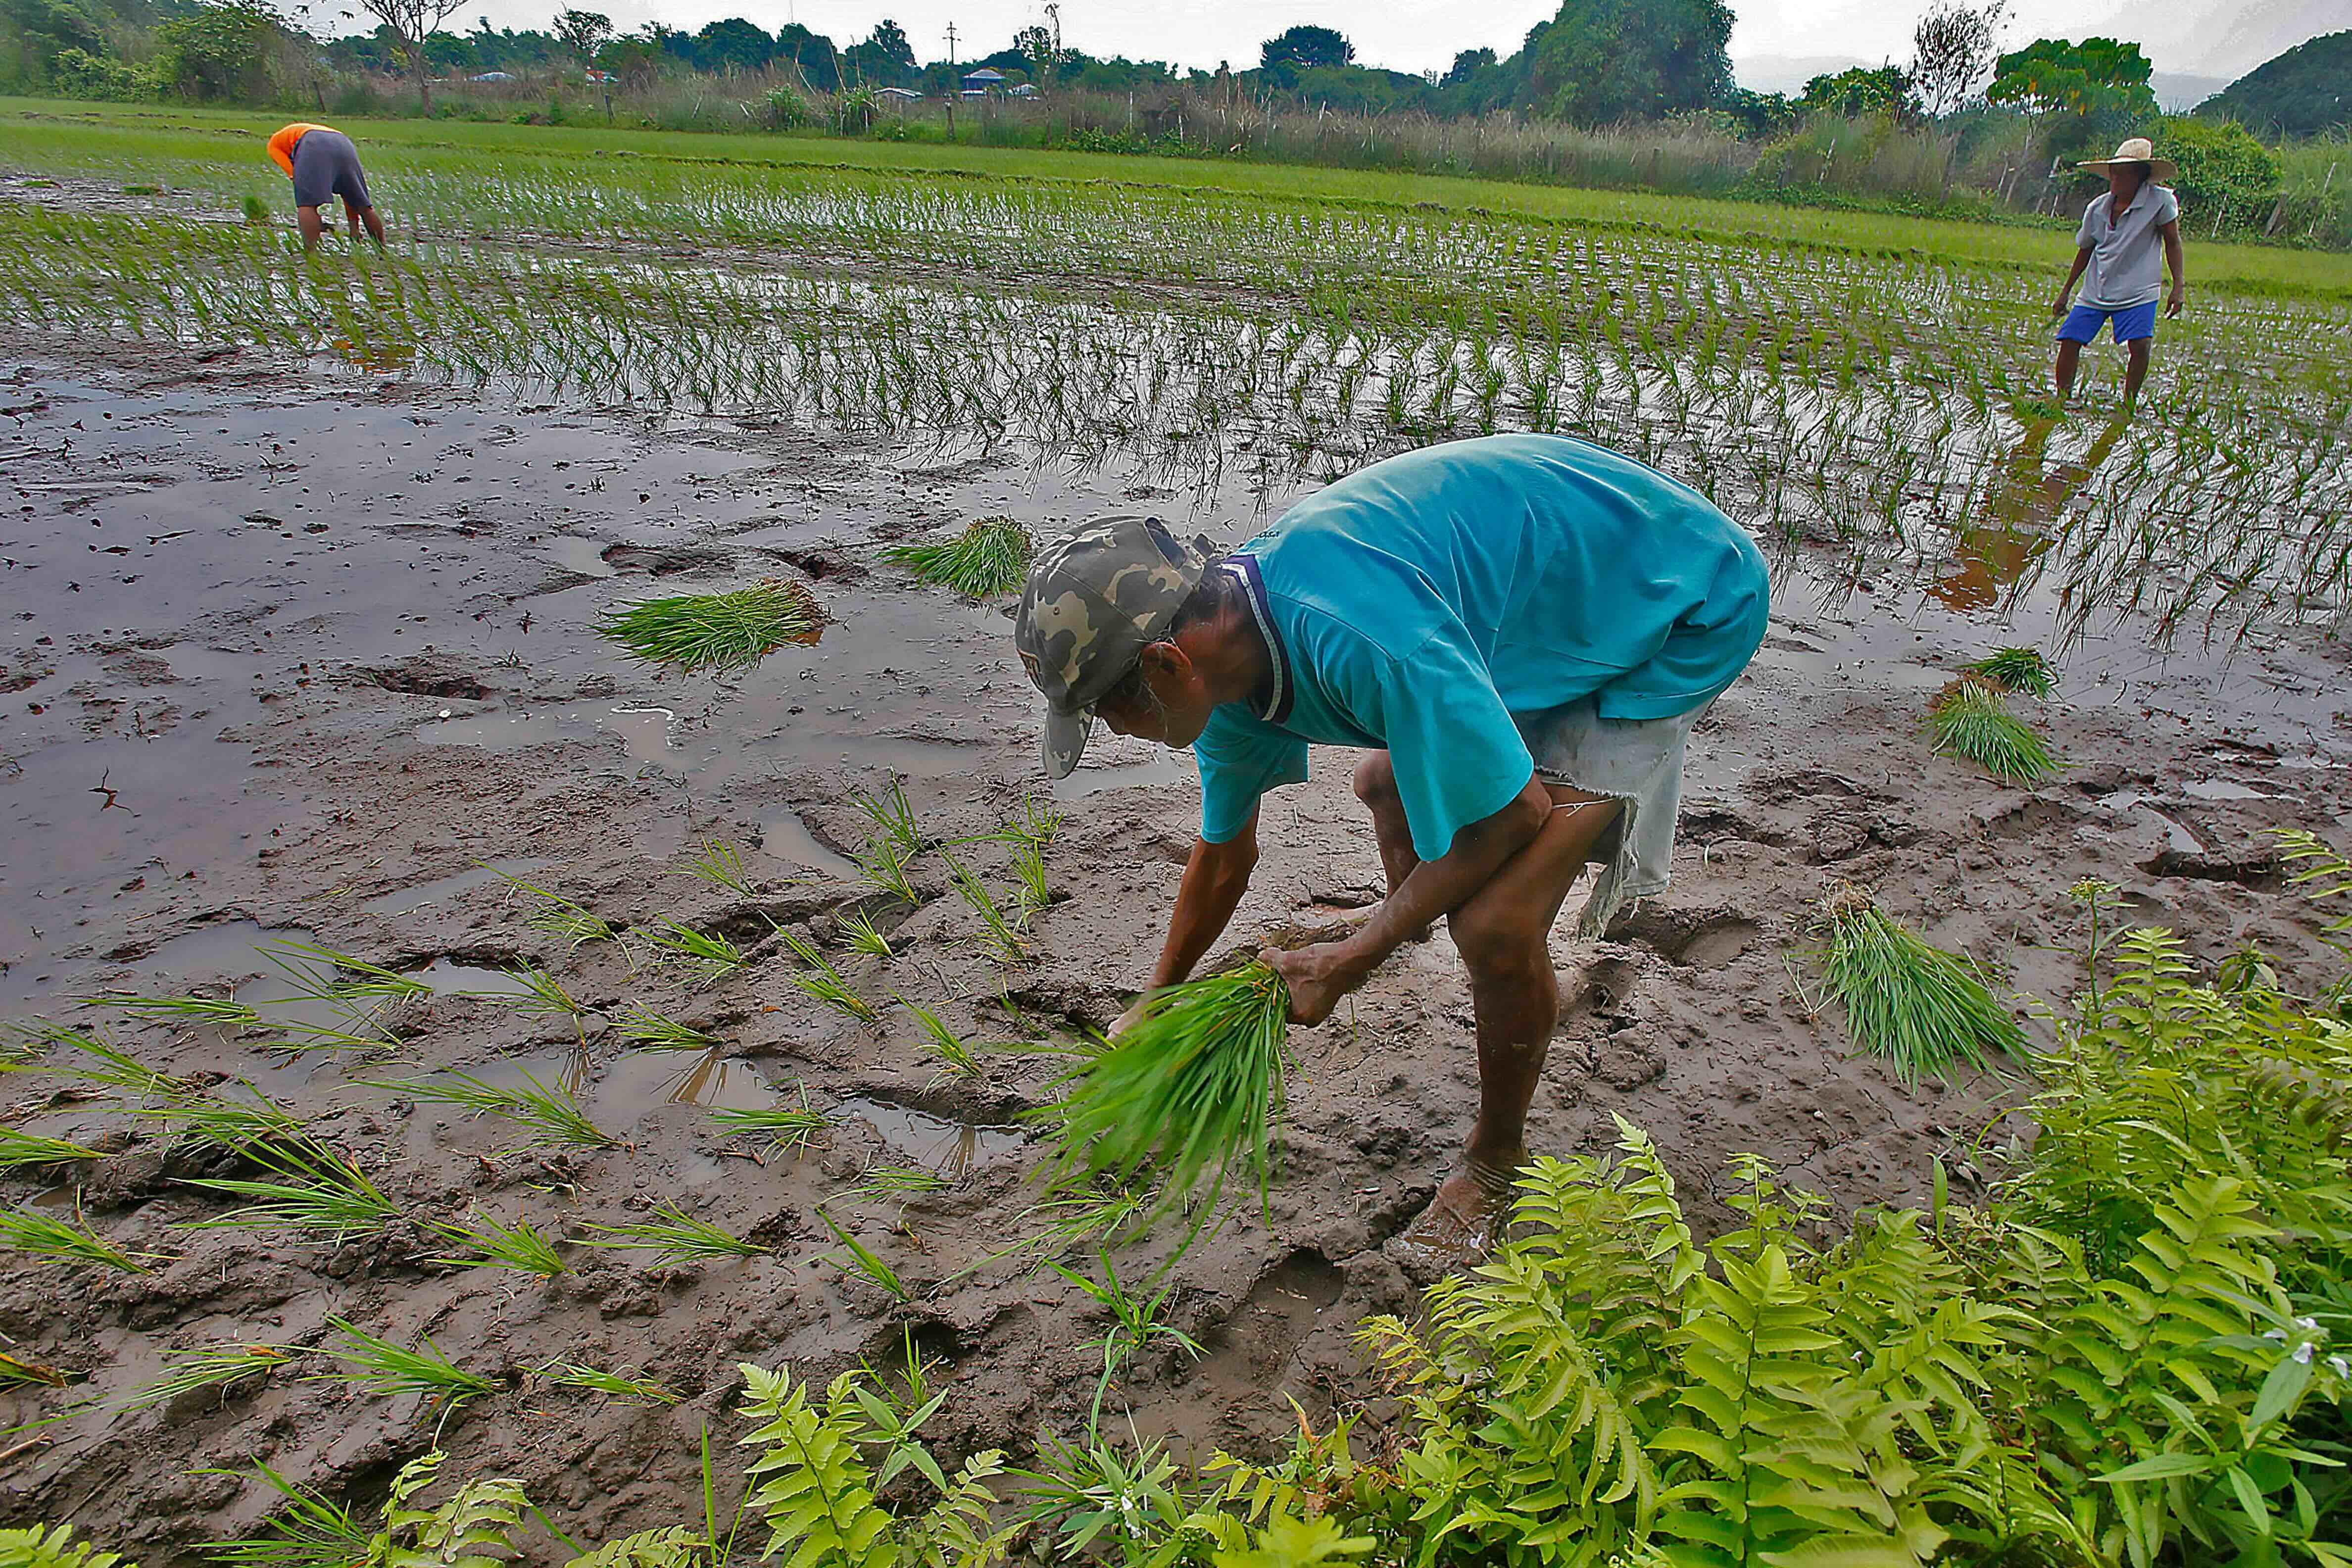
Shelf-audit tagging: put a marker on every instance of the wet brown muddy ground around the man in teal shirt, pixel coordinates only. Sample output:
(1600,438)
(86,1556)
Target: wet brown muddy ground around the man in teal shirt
(295,655)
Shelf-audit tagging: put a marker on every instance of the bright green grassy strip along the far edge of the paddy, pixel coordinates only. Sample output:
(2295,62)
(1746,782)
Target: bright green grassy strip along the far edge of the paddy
(114,138)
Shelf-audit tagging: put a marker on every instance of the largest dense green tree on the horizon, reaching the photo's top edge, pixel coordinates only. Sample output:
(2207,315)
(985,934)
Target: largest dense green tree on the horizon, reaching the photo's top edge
(1629,60)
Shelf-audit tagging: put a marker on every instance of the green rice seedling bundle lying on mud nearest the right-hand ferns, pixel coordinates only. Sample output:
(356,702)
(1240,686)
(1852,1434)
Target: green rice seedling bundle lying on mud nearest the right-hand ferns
(1909,1000)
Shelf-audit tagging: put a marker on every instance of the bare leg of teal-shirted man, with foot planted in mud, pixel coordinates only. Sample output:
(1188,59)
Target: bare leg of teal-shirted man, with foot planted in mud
(1504,934)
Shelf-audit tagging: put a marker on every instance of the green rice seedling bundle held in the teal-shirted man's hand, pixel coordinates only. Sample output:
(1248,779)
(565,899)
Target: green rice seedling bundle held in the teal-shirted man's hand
(1194,1090)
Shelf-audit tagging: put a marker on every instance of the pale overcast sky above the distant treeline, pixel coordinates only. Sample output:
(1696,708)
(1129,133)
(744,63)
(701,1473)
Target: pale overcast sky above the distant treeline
(2193,36)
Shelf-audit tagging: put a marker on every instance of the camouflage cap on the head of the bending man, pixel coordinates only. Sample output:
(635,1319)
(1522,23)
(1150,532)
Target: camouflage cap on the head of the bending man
(1093,605)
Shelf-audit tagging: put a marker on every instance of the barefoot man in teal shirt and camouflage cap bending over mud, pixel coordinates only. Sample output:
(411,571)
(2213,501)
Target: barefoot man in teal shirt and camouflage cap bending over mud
(1518,631)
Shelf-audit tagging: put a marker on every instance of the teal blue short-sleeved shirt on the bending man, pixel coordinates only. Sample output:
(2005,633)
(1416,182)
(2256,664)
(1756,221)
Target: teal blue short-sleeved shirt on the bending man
(1422,603)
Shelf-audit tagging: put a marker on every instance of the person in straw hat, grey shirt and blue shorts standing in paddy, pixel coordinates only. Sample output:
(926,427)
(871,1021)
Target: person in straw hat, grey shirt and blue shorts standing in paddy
(2118,262)
